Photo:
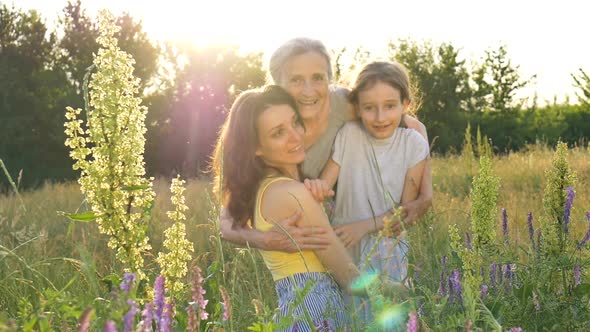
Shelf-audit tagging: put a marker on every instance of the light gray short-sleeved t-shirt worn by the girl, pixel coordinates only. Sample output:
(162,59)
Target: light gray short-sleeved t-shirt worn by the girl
(372,173)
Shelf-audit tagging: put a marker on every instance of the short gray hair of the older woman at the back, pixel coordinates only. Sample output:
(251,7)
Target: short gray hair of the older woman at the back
(293,48)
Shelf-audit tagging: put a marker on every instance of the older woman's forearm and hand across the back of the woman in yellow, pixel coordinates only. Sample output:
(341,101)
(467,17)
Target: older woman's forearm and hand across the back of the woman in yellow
(286,236)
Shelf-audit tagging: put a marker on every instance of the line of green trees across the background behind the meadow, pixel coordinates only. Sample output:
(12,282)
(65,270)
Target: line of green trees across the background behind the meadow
(188,90)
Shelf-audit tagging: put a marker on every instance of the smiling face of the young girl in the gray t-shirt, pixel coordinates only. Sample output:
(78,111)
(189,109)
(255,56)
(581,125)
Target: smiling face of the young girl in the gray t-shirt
(380,109)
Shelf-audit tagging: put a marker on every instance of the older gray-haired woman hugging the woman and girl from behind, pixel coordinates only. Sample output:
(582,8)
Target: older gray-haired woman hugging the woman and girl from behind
(302,66)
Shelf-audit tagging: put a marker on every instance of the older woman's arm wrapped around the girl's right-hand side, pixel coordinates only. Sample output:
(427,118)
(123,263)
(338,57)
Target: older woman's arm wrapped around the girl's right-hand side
(413,210)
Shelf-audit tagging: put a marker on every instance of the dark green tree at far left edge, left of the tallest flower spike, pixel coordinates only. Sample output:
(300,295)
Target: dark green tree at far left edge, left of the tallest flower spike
(33,95)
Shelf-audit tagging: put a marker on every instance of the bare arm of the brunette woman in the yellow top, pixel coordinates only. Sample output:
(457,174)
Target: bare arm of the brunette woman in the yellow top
(282,199)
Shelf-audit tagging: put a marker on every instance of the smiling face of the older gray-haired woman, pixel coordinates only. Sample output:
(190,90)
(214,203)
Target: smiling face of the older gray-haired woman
(305,77)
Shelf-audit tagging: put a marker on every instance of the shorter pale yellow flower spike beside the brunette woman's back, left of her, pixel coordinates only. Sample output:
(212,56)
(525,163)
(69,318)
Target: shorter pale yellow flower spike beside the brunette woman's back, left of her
(174,263)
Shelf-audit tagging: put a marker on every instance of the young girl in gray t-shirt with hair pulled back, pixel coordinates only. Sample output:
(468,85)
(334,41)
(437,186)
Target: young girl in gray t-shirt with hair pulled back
(378,166)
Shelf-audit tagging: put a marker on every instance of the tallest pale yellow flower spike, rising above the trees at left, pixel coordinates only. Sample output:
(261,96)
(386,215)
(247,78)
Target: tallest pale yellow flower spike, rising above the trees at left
(108,151)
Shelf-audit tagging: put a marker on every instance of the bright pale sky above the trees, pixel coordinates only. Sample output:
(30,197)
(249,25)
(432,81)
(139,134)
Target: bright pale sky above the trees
(546,39)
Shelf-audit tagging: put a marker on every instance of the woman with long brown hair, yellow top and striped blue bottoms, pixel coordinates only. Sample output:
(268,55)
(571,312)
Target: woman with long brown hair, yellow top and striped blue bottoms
(256,163)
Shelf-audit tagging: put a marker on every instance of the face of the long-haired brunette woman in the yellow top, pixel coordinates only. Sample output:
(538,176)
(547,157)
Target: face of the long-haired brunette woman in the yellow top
(280,137)
